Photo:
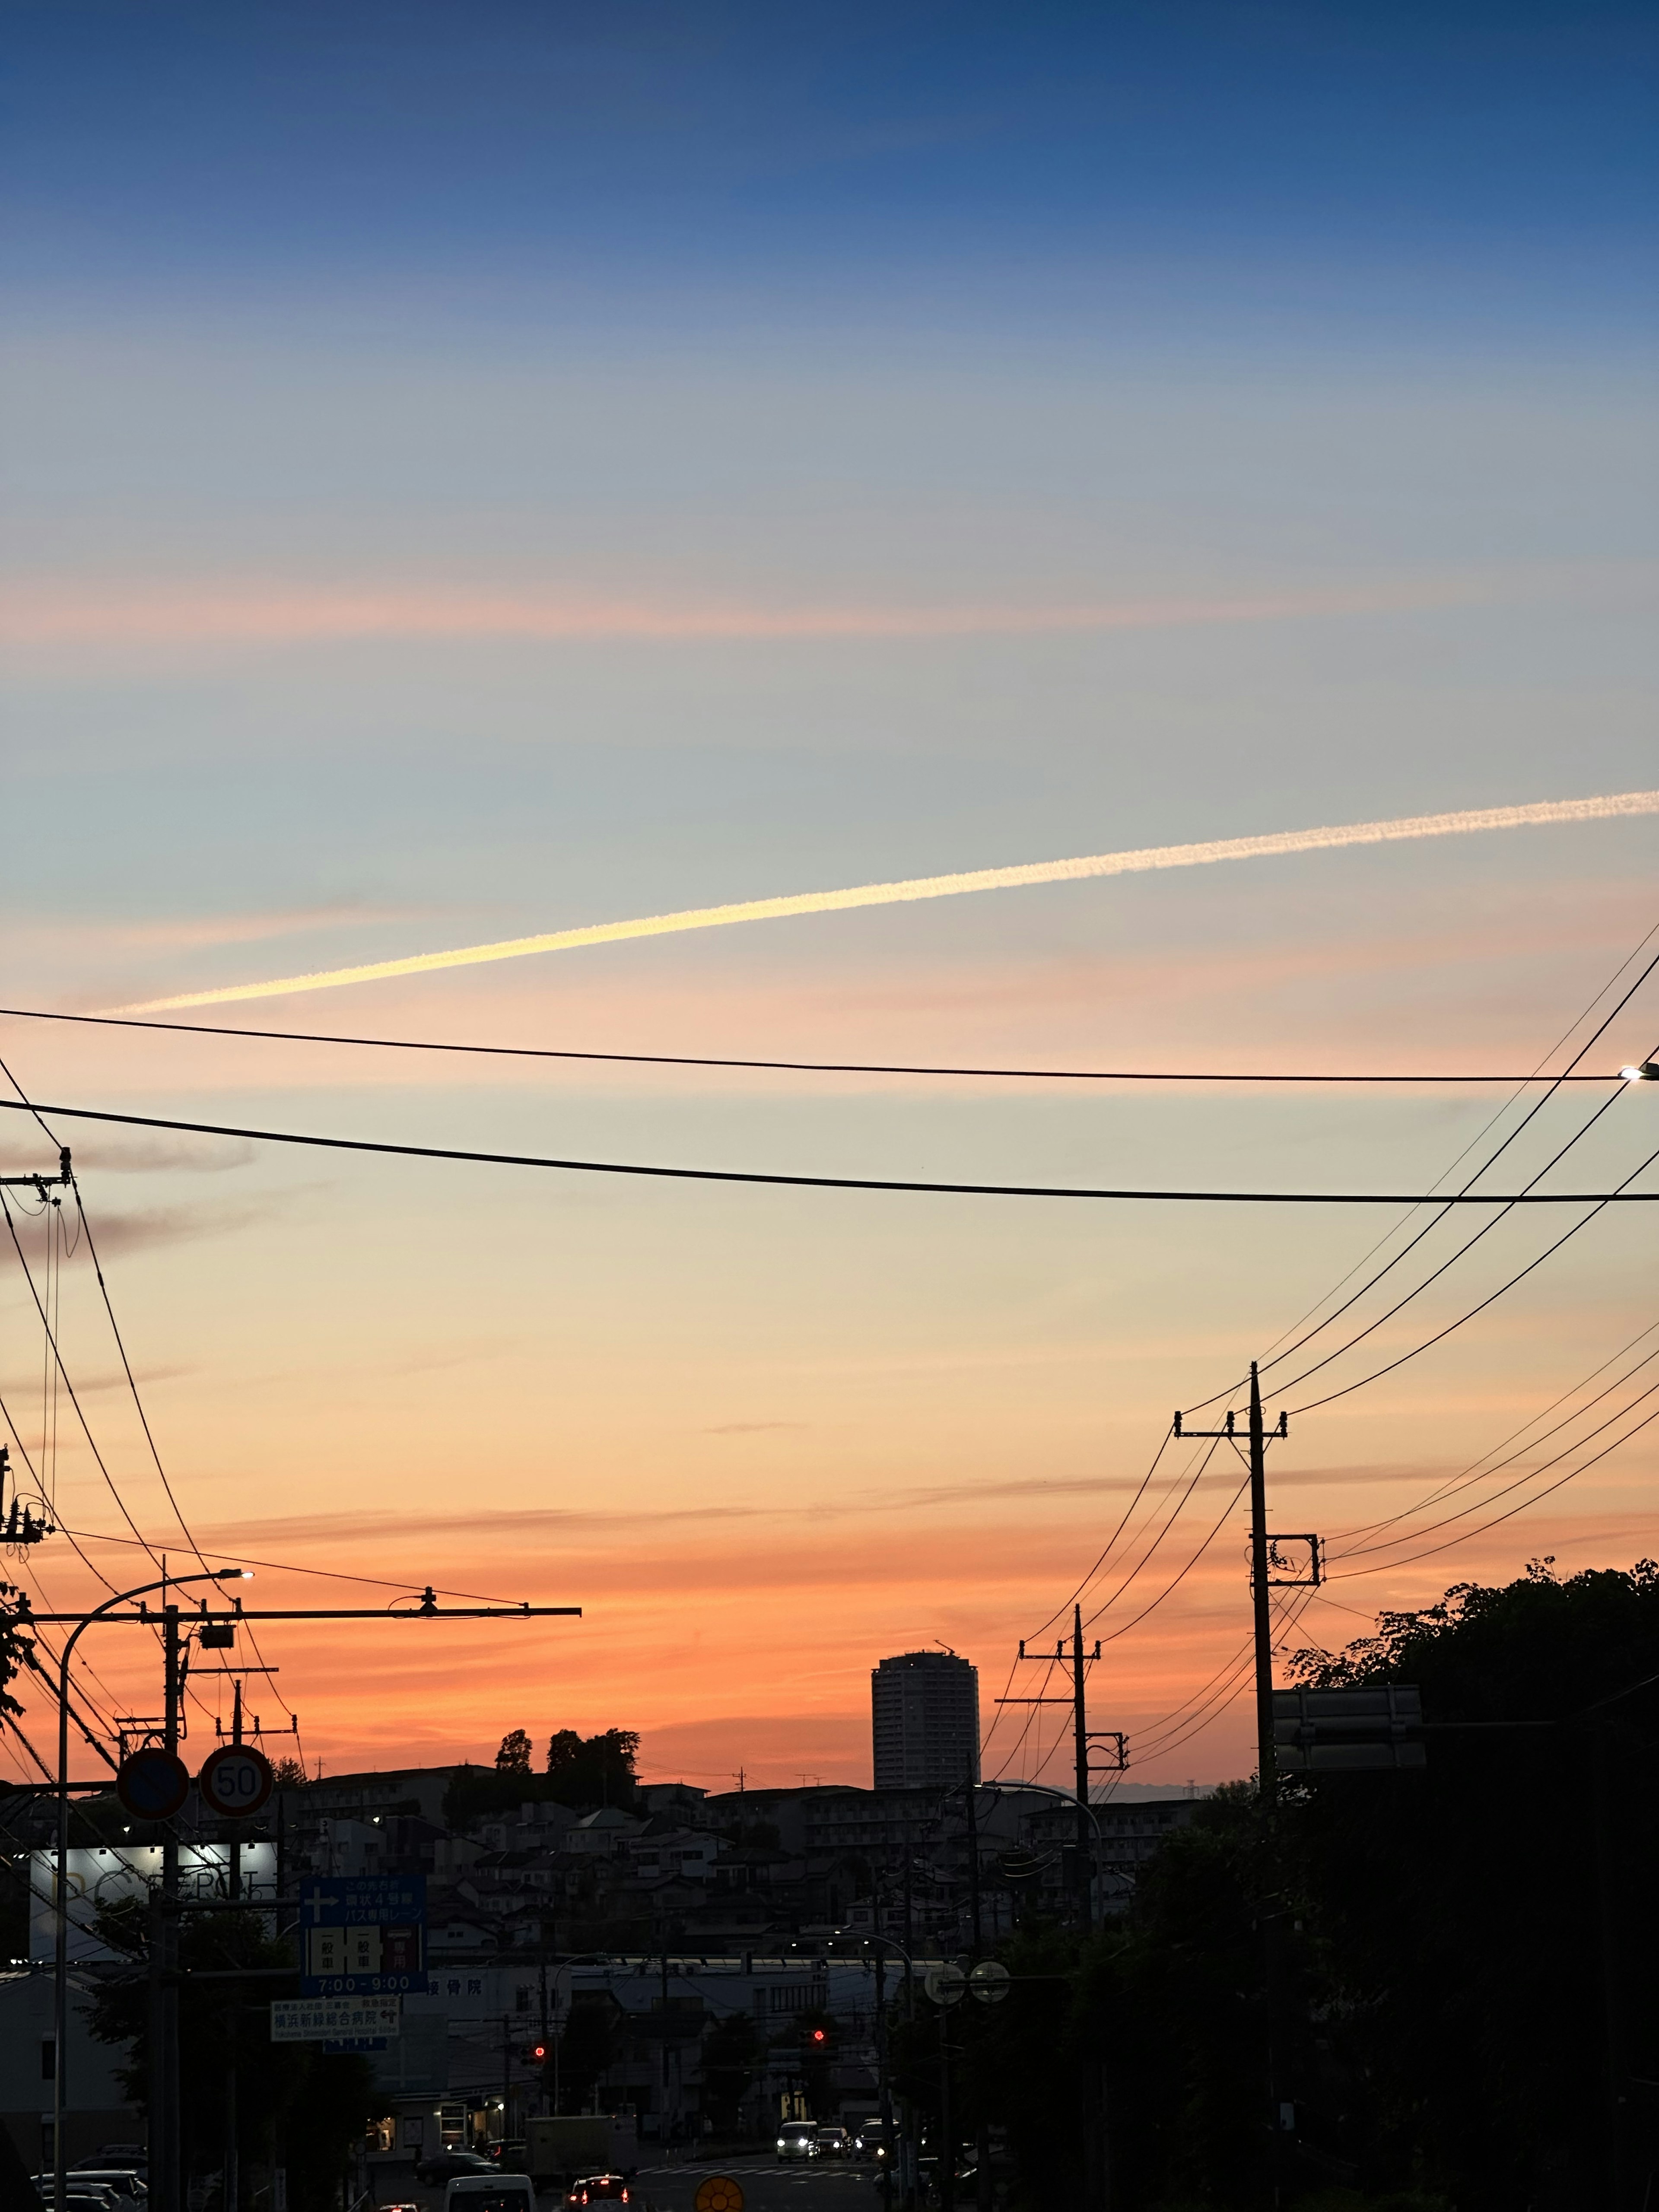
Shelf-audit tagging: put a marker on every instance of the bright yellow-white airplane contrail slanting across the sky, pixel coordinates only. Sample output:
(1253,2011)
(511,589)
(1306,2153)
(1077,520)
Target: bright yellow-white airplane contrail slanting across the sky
(893,895)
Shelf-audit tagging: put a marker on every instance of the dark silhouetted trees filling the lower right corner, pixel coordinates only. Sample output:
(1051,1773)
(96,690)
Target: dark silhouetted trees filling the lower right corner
(1468,1957)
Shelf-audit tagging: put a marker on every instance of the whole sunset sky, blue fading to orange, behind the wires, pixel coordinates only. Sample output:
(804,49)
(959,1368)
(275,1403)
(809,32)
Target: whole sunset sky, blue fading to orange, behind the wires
(486,472)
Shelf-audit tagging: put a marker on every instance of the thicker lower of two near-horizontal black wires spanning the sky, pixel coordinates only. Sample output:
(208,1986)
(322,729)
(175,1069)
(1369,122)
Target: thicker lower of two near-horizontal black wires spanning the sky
(835,1182)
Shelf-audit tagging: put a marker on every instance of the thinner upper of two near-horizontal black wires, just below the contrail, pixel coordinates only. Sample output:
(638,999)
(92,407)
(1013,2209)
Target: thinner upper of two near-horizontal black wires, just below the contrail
(782,1067)
